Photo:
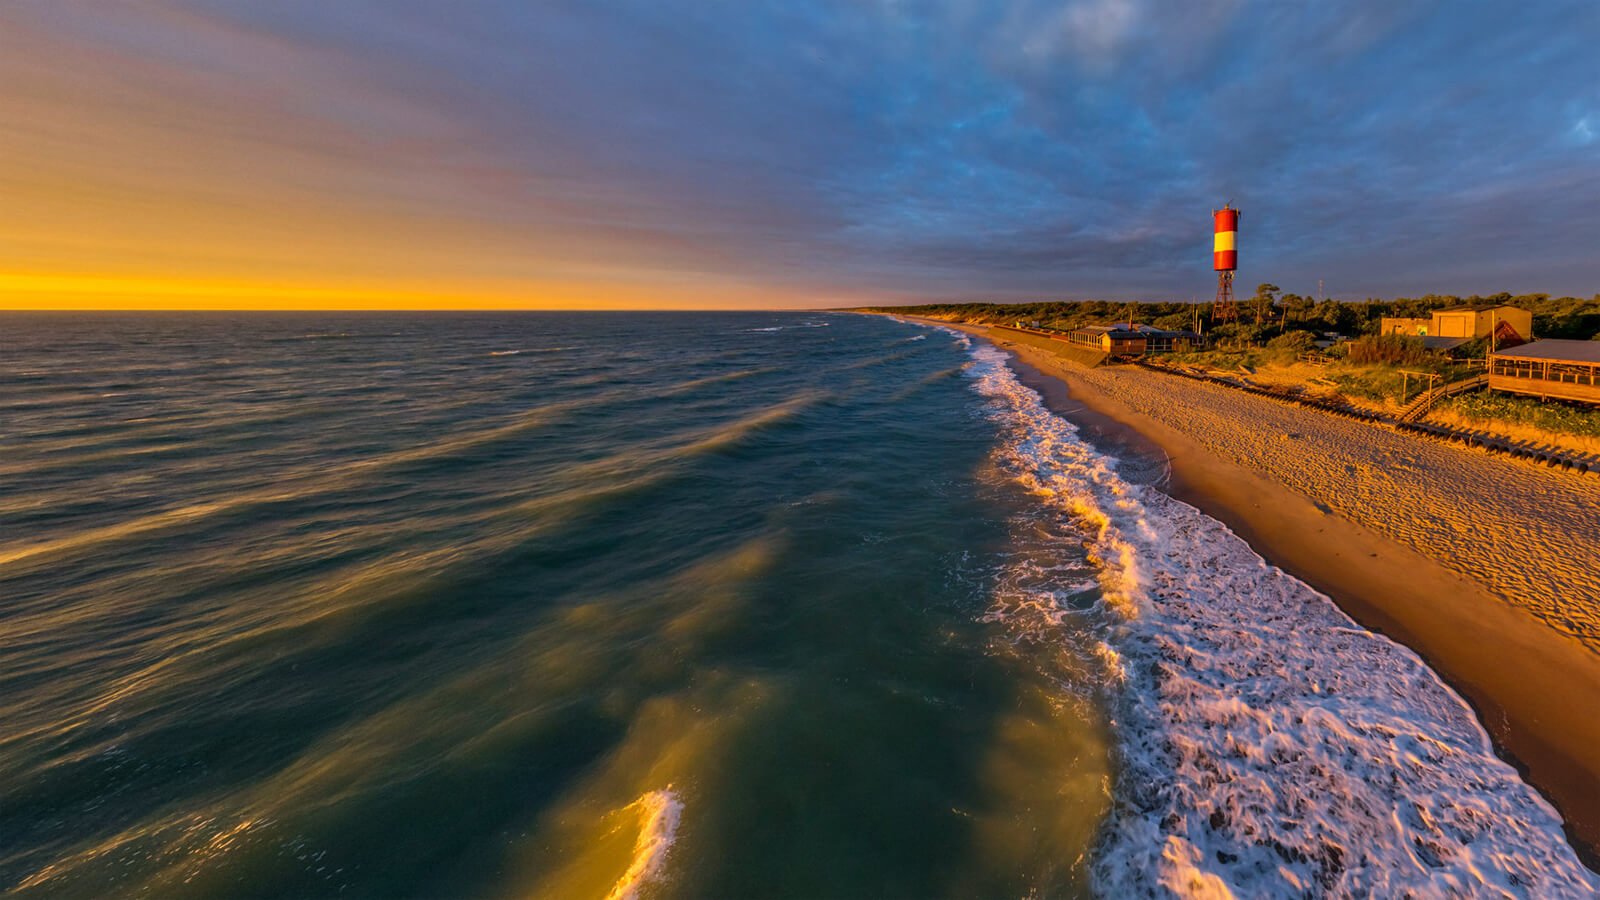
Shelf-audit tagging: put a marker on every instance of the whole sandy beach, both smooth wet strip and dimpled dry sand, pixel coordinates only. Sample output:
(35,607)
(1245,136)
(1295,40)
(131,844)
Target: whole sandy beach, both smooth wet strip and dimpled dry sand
(1481,565)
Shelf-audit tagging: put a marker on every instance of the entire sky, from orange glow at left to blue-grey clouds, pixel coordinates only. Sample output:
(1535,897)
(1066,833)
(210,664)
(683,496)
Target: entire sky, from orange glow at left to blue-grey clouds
(753,153)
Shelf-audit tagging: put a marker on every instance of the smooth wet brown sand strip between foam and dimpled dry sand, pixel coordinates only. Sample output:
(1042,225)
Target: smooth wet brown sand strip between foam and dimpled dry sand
(1522,680)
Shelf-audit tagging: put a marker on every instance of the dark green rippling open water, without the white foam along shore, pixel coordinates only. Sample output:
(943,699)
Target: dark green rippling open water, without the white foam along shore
(521,606)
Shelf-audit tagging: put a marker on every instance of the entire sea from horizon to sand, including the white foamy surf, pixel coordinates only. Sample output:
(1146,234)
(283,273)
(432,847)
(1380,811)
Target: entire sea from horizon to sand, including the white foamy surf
(705,606)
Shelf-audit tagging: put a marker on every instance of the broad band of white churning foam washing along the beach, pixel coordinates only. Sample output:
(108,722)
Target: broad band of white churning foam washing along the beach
(1268,744)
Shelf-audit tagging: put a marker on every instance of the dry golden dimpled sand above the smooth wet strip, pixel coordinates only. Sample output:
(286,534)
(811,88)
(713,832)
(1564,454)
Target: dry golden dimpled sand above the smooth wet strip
(1529,534)
